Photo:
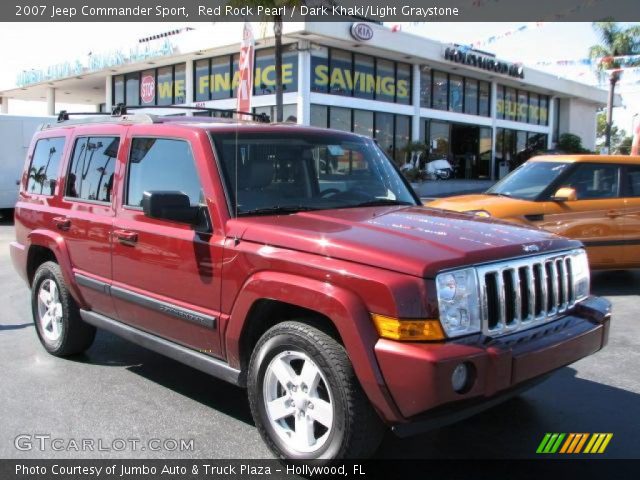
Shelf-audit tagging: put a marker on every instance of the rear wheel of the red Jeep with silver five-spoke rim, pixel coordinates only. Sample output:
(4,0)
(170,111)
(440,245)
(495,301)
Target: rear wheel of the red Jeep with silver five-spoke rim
(56,314)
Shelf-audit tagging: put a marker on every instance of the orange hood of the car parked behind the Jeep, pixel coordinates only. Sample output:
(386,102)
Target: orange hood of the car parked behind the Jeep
(497,206)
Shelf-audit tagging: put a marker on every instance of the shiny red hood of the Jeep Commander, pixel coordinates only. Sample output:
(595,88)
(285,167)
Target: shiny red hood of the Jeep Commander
(414,240)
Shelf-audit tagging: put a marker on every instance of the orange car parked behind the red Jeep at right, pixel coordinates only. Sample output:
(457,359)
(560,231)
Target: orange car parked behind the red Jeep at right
(592,198)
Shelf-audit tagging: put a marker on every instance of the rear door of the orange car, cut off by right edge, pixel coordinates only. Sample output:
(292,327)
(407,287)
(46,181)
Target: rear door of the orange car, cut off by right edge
(631,192)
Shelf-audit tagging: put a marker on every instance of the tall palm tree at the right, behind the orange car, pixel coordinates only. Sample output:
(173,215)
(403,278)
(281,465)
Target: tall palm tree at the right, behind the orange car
(615,41)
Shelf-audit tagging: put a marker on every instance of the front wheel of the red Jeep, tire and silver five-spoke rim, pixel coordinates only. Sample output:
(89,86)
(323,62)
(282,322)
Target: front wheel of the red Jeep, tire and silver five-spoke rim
(331,418)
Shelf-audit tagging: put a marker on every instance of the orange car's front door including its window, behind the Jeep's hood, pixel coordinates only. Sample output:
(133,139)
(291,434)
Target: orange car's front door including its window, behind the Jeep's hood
(596,217)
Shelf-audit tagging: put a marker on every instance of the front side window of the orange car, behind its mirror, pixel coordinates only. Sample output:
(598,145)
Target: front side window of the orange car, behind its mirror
(593,181)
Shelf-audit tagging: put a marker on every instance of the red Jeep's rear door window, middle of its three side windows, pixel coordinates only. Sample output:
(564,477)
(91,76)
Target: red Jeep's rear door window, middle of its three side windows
(92,167)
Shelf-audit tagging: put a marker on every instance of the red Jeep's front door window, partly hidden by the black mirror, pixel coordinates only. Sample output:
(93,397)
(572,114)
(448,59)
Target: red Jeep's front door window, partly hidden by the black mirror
(157,164)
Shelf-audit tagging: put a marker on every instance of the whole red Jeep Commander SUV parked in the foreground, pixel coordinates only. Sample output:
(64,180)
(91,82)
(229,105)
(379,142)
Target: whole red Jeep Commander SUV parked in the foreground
(298,263)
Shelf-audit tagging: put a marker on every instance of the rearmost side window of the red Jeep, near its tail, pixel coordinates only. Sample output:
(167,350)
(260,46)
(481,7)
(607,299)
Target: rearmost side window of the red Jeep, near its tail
(43,171)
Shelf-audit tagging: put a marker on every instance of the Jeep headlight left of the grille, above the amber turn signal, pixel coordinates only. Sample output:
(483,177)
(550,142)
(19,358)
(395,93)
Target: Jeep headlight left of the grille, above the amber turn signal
(458,301)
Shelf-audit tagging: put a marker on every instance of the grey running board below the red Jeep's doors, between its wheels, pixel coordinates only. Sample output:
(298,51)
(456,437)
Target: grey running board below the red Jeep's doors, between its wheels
(200,361)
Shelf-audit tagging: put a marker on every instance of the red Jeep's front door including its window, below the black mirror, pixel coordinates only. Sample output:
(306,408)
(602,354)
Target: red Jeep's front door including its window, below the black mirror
(165,274)
